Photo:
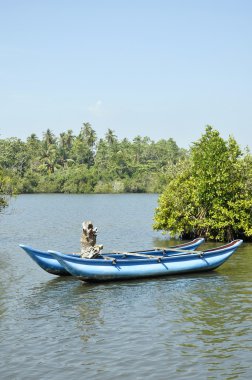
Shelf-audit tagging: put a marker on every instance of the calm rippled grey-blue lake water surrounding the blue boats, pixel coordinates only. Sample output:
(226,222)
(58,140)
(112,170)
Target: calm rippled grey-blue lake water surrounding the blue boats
(180,327)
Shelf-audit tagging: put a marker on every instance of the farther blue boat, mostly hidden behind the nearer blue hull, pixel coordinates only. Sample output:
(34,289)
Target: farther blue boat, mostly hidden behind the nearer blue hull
(47,262)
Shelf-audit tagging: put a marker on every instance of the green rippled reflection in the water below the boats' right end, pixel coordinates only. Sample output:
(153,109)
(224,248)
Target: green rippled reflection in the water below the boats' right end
(206,322)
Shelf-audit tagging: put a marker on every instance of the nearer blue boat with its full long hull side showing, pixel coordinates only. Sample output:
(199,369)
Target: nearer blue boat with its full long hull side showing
(138,265)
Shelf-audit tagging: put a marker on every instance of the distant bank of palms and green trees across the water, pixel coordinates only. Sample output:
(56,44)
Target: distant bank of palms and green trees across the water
(83,163)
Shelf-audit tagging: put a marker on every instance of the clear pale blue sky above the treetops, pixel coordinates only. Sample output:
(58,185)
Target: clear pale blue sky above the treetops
(156,68)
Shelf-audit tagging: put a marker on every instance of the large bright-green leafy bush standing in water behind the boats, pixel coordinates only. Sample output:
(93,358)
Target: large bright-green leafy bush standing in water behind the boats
(212,195)
